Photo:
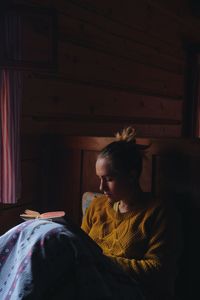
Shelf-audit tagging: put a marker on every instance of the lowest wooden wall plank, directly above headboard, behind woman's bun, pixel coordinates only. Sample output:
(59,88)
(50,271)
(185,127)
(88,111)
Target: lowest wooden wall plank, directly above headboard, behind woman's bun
(87,127)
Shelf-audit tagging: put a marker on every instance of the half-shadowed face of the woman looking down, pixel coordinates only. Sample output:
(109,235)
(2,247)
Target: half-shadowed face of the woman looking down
(115,187)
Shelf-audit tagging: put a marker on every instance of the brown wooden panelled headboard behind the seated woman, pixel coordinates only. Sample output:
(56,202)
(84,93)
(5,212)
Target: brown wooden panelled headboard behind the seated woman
(170,169)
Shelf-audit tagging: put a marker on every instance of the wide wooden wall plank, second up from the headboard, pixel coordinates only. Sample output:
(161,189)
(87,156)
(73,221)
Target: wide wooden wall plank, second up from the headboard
(52,96)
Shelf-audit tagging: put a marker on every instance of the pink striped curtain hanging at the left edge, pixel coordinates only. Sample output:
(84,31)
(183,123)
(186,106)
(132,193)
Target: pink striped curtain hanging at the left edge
(10,96)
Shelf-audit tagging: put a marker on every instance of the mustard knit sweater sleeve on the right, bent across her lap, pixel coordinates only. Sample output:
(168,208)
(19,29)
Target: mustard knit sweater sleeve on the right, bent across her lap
(162,250)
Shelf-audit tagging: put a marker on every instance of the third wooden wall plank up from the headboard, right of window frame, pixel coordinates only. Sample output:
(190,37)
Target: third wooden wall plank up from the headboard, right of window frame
(95,67)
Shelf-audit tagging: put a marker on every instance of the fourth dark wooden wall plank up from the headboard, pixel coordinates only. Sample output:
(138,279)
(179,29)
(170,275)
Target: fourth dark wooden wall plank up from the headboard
(101,37)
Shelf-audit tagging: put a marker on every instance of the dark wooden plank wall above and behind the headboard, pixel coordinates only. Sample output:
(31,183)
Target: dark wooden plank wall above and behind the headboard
(113,63)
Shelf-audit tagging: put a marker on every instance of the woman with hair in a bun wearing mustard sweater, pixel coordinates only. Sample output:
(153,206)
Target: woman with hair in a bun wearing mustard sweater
(135,231)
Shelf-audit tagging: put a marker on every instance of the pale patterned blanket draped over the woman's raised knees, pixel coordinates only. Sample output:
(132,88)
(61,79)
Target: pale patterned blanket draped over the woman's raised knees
(41,259)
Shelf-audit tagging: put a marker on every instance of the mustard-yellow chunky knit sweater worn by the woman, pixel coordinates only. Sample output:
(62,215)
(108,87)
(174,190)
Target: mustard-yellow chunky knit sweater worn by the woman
(145,243)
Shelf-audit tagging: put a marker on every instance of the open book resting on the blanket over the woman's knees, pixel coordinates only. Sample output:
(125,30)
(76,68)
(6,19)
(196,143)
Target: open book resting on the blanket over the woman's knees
(31,214)
